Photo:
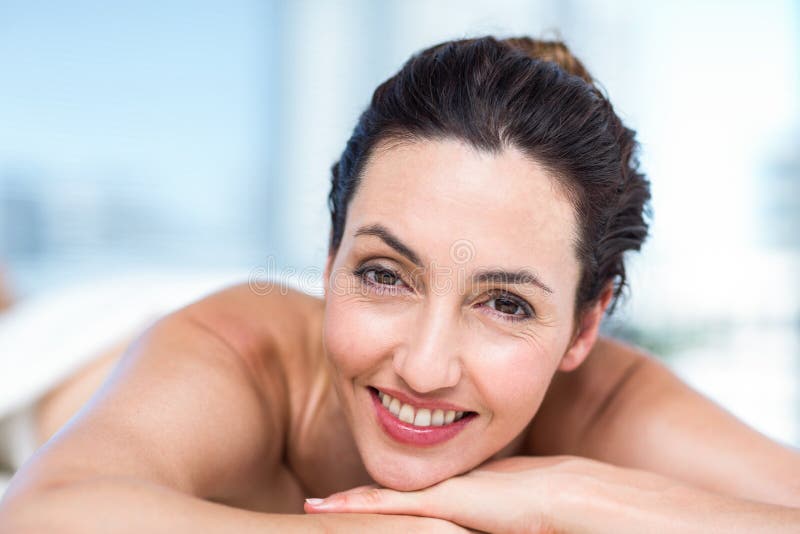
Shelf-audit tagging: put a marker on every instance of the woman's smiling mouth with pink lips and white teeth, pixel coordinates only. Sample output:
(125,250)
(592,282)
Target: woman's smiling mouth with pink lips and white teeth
(415,425)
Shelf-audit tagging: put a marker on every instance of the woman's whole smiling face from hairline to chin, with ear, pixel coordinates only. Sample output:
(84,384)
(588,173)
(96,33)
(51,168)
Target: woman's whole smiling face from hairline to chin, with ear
(453,288)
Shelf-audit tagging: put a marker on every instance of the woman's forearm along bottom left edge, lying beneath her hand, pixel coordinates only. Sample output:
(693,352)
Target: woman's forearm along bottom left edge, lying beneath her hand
(129,505)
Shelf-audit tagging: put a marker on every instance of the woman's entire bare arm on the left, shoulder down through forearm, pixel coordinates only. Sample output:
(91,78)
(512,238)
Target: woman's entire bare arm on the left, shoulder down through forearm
(187,421)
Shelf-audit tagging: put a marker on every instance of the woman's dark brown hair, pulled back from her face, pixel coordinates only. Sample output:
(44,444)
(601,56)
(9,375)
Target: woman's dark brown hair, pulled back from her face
(530,94)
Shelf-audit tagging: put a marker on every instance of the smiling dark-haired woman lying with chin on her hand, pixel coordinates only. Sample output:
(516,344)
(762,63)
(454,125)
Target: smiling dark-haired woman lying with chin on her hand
(452,377)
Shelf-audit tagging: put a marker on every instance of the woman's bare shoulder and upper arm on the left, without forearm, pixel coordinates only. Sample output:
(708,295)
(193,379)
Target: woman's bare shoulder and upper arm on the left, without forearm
(197,403)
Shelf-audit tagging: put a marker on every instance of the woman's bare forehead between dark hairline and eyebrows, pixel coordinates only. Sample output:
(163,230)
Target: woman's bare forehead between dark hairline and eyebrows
(434,193)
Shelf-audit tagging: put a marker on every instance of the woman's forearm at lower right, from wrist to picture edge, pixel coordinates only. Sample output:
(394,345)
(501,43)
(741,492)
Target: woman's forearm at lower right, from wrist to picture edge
(673,508)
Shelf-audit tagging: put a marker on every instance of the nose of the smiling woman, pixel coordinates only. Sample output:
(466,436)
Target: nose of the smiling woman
(430,359)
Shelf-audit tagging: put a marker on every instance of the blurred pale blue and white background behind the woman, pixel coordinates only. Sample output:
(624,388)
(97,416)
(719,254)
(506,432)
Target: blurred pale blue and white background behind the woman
(148,142)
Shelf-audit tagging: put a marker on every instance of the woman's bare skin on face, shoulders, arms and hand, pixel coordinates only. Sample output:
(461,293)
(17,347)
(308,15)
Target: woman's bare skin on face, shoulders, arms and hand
(226,414)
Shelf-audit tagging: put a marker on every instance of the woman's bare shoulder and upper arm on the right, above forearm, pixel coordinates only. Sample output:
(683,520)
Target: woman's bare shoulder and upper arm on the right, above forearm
(626,408)
